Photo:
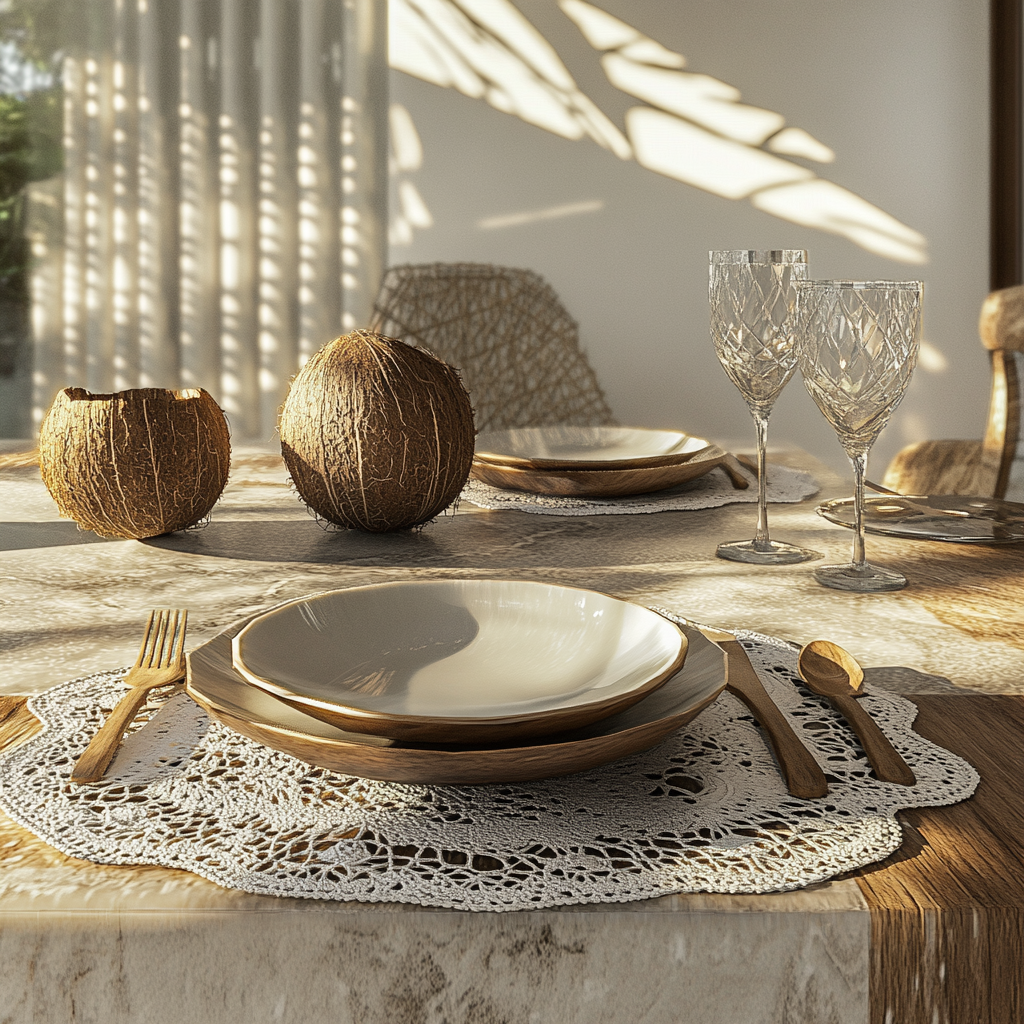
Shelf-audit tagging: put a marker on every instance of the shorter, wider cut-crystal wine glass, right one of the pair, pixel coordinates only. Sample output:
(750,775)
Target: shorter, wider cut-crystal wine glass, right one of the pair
(858,349)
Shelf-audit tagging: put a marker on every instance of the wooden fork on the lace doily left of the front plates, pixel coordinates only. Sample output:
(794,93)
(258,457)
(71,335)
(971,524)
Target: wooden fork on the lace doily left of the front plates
(161,662)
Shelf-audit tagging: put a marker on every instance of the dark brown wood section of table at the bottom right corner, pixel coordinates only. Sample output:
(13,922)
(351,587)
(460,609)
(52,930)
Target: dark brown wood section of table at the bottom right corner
(948,910)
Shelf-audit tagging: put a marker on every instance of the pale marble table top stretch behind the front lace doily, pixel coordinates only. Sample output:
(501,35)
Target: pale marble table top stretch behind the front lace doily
(74,604)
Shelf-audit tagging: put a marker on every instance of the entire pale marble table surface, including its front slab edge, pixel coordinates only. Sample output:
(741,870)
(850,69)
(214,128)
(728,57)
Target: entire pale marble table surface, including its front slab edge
(87,943)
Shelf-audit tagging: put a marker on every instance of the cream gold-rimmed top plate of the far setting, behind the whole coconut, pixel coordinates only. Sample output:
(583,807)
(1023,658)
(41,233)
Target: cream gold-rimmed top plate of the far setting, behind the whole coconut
(586,448)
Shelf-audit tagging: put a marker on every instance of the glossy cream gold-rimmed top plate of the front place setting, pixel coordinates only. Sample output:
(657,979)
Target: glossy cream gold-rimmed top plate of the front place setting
(459,661)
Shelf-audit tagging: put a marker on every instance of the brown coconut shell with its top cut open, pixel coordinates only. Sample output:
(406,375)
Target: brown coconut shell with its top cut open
(138,463)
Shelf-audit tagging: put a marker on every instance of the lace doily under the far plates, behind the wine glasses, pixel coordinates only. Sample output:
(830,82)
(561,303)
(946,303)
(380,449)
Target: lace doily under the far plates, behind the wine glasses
(706,492)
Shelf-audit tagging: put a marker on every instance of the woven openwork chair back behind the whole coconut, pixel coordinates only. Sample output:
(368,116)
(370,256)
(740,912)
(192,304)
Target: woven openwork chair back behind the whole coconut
(506,331)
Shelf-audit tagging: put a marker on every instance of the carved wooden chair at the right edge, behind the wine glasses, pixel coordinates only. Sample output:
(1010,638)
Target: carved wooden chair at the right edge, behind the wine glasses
(953,467)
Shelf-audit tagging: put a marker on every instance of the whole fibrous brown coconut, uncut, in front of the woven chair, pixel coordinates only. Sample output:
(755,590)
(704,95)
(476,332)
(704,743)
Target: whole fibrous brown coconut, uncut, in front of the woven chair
(377,436)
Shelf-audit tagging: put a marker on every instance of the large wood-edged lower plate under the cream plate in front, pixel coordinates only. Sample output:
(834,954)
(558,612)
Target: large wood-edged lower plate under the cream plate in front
(215,686)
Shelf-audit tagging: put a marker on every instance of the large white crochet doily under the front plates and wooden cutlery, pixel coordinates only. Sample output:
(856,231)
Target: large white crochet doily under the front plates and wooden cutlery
(706,812)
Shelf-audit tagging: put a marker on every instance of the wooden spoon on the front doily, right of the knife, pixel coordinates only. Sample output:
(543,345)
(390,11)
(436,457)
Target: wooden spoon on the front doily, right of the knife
(832,672)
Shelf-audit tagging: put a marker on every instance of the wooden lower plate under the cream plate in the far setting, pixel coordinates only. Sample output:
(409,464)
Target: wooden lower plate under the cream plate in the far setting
(602,483)
